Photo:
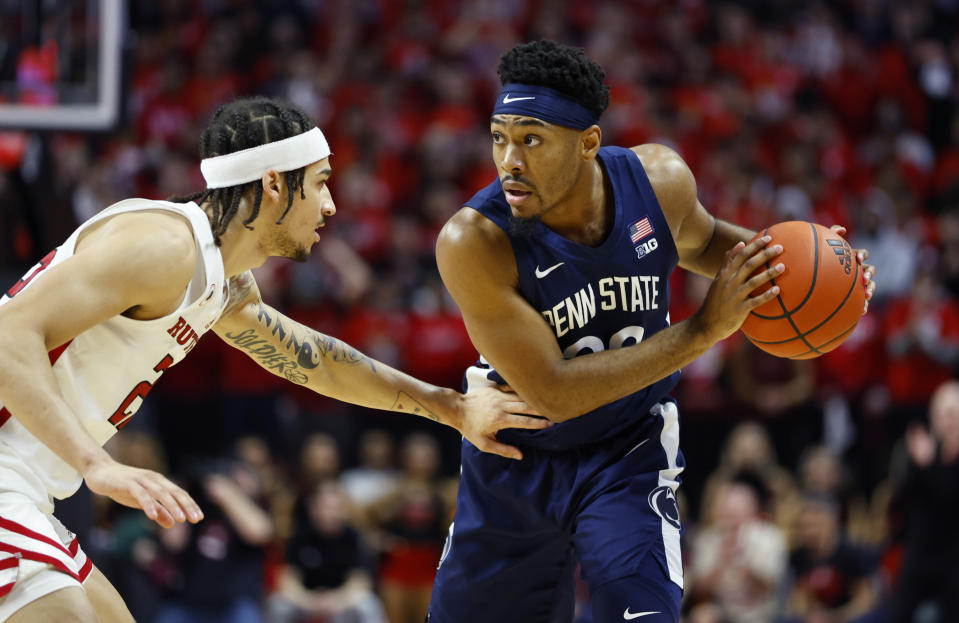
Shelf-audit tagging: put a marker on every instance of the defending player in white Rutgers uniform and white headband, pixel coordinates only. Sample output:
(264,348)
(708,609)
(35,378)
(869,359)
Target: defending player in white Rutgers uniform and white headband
(87,332)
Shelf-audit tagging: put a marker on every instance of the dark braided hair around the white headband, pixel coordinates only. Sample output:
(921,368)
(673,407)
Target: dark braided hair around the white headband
(241,124)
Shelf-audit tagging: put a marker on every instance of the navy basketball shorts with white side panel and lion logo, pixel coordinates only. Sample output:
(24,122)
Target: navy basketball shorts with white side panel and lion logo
(522,526)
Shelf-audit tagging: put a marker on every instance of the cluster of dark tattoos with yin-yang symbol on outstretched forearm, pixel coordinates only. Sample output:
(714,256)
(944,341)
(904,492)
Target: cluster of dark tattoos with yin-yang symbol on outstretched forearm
(298,355)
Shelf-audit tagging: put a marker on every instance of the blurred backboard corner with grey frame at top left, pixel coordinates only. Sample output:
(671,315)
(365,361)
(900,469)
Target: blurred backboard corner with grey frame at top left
(91,105)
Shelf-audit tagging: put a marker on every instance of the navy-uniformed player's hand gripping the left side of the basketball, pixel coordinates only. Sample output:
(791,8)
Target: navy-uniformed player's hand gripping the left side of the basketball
(729,299)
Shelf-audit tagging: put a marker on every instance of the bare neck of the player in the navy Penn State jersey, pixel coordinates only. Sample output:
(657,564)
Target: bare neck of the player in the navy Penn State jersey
(584,216)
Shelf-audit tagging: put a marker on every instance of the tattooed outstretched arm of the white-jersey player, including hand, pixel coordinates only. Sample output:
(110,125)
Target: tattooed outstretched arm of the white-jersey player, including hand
(333,368)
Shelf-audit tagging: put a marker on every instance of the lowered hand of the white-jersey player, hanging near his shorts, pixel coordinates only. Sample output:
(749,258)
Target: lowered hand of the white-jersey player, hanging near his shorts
(161,500)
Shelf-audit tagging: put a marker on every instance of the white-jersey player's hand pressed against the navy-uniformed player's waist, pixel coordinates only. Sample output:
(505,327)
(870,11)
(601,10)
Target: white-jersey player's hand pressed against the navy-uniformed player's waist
(488,410)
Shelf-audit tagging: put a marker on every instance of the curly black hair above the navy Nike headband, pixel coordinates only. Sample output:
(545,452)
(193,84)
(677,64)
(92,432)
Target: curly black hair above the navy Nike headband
(559,67)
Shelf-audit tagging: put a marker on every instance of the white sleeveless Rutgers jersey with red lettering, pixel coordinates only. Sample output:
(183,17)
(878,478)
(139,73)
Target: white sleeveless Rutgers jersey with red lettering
(105,372)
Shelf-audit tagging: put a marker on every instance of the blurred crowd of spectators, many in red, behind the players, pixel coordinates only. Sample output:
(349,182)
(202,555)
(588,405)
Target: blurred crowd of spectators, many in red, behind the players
(817,491)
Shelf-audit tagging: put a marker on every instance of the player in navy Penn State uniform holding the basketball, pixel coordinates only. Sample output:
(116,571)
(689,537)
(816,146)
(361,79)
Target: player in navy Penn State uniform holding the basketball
(561,269)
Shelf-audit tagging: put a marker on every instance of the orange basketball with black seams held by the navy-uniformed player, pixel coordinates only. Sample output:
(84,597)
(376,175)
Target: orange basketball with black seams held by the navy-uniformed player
(821,293)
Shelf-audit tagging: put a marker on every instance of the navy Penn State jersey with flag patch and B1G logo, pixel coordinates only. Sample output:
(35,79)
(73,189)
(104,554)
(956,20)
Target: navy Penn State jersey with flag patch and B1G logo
(594,298)
